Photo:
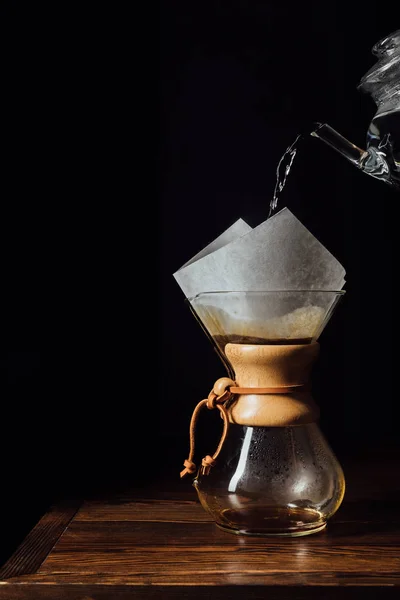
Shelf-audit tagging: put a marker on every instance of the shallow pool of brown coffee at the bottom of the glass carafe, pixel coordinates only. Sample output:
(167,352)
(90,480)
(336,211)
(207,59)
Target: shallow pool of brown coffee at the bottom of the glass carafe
(271,521)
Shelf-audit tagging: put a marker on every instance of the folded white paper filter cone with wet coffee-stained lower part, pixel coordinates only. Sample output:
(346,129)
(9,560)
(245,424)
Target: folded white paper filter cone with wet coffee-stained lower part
(274,284)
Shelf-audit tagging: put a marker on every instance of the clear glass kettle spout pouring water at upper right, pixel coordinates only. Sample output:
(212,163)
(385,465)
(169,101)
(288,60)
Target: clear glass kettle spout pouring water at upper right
(373,161)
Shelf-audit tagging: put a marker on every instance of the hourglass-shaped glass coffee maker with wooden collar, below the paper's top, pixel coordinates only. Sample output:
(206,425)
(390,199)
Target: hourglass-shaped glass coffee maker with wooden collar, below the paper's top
(275,473)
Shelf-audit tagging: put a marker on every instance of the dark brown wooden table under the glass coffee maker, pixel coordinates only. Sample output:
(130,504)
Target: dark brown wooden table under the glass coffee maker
(159,543)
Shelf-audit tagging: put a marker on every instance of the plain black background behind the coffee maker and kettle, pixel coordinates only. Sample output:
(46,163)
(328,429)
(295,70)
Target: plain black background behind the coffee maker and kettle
(131,142)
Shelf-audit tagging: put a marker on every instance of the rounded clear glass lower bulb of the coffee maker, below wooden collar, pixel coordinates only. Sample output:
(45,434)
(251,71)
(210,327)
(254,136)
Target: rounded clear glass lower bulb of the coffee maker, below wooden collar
(273,480)
